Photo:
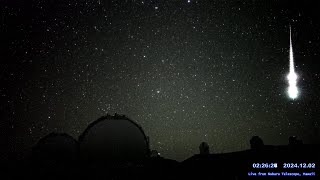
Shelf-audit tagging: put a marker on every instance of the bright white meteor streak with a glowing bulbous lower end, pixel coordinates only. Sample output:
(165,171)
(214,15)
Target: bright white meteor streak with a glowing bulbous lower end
(292,76)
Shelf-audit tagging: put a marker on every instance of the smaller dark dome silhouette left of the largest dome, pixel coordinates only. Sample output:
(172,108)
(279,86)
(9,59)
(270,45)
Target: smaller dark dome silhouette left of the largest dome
(54,156)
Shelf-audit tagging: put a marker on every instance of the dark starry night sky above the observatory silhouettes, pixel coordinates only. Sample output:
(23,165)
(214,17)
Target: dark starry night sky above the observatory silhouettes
(187,71)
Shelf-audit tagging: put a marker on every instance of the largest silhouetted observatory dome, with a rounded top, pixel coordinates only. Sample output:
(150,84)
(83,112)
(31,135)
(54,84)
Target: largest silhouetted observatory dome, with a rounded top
(114,139)
